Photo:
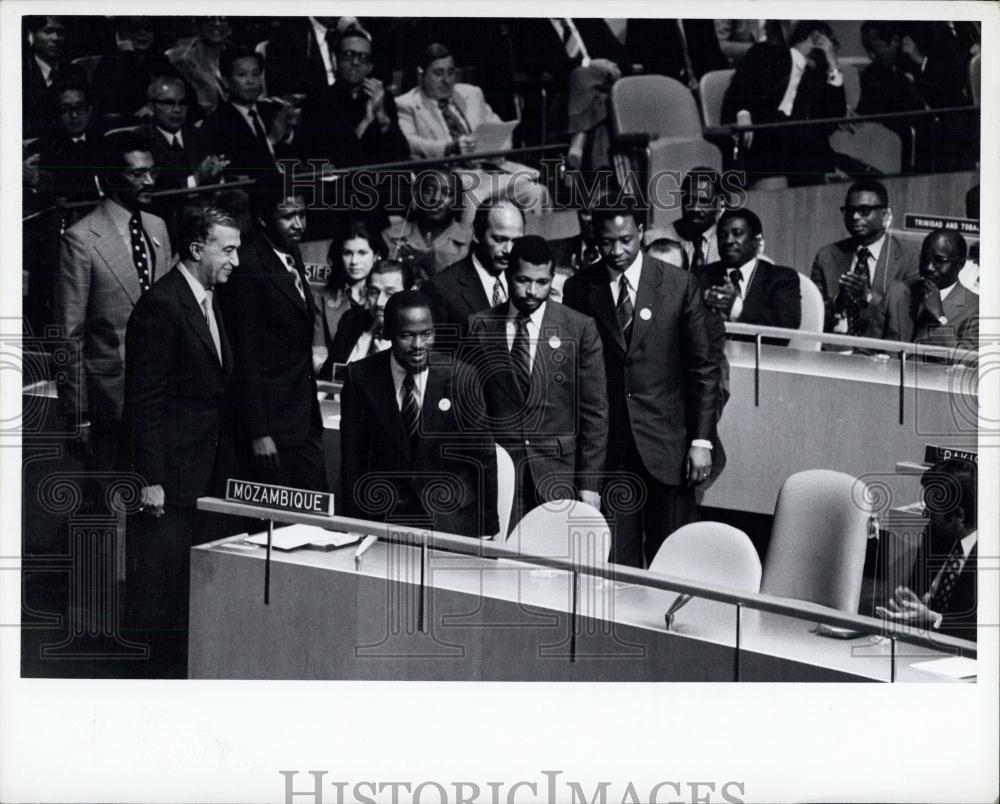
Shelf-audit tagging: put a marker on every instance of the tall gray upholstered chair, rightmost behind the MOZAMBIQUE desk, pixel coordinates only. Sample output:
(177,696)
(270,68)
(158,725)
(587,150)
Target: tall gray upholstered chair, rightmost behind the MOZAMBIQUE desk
(817,550)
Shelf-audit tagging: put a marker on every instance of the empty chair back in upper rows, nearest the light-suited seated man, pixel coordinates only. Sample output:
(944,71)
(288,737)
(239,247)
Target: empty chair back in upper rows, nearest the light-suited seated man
(655,105)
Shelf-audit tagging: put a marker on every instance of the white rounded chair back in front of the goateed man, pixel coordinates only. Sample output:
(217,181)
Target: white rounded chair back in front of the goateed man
(564,529)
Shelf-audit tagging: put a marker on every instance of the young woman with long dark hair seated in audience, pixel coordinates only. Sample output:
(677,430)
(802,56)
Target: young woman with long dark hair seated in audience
(353,253)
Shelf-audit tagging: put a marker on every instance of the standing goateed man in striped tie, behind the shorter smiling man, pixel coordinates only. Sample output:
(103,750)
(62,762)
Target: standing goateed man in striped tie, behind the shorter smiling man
(545,387)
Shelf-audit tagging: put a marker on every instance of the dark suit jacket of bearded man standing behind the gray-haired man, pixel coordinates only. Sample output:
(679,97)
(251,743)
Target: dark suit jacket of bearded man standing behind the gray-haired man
(271,329)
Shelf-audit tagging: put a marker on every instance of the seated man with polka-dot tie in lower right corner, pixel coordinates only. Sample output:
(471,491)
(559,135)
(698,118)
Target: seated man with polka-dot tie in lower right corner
(941,593)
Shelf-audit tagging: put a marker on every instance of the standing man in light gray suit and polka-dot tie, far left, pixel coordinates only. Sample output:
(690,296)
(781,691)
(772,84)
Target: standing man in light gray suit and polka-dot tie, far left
(106,261)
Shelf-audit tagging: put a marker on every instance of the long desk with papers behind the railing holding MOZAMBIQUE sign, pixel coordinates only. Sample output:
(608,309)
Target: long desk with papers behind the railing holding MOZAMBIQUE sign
(489,620)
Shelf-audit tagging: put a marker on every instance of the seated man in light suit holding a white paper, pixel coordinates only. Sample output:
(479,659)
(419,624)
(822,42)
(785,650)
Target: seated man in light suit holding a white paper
(439,118)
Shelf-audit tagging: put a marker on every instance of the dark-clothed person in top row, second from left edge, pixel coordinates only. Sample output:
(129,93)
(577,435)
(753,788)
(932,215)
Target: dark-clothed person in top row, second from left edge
(121,79)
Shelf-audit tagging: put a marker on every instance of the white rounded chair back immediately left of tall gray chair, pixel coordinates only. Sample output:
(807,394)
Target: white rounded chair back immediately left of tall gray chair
(712,553)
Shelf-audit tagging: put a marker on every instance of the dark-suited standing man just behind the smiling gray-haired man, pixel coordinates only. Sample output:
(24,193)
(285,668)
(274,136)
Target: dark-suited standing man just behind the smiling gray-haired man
(270,314)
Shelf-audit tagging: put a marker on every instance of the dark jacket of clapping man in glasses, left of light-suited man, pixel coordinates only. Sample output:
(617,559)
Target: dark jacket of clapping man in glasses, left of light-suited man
(328,132)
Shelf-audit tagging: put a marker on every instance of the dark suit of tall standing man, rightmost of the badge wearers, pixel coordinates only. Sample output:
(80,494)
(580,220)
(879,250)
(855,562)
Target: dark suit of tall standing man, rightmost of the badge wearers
(663,386)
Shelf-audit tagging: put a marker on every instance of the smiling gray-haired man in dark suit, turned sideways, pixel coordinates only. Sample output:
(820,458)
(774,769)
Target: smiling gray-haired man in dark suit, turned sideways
(176,435)
